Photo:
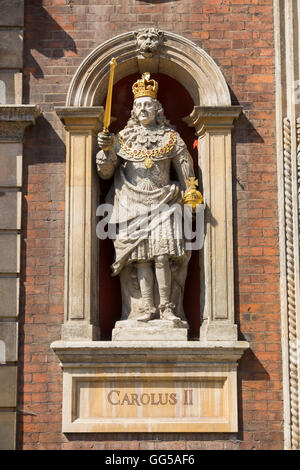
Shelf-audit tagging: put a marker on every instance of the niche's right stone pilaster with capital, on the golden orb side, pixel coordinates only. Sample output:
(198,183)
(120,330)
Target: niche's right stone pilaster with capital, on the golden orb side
(213,126)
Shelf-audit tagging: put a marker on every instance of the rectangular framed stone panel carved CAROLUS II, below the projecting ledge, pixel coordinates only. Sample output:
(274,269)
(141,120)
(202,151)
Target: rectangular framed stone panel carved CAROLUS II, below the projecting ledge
(158,404)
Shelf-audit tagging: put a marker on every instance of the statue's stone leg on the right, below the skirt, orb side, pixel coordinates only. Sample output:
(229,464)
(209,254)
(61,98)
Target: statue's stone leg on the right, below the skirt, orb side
(163,276)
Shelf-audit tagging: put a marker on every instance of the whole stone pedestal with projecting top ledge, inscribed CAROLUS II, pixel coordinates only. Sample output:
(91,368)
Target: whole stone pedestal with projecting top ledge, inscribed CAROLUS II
(120,386)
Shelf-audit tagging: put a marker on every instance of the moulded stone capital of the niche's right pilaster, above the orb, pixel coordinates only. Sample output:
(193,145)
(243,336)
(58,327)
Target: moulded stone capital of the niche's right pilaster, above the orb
(212,118)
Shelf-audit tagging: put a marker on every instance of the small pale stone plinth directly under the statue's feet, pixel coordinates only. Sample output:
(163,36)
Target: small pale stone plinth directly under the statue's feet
(153,330)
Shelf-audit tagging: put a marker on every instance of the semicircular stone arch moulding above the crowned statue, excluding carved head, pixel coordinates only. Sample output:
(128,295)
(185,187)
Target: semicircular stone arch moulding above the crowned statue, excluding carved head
(178,57)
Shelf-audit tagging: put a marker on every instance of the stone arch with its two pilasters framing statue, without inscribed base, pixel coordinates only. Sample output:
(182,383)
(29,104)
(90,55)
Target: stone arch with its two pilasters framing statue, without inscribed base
(212,119)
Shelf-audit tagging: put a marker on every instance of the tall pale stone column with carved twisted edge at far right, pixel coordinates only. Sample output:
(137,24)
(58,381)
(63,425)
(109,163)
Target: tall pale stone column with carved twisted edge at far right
(287,74)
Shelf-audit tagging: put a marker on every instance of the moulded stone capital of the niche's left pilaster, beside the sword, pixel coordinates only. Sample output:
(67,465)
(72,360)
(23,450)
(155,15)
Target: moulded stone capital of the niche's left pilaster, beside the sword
(76,118)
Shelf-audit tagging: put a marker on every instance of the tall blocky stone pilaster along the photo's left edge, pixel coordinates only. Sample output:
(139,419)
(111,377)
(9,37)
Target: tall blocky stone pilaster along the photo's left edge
(11,134)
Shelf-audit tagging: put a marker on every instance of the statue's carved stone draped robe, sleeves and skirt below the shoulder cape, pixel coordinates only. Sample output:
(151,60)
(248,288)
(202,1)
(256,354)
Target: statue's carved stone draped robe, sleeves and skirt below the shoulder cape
(147,211)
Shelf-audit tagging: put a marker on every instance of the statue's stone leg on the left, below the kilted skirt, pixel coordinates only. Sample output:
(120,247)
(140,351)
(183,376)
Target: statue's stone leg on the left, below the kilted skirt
(145,277)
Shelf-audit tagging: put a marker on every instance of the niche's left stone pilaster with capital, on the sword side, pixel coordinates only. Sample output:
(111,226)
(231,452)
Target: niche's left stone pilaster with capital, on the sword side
(81,243)
